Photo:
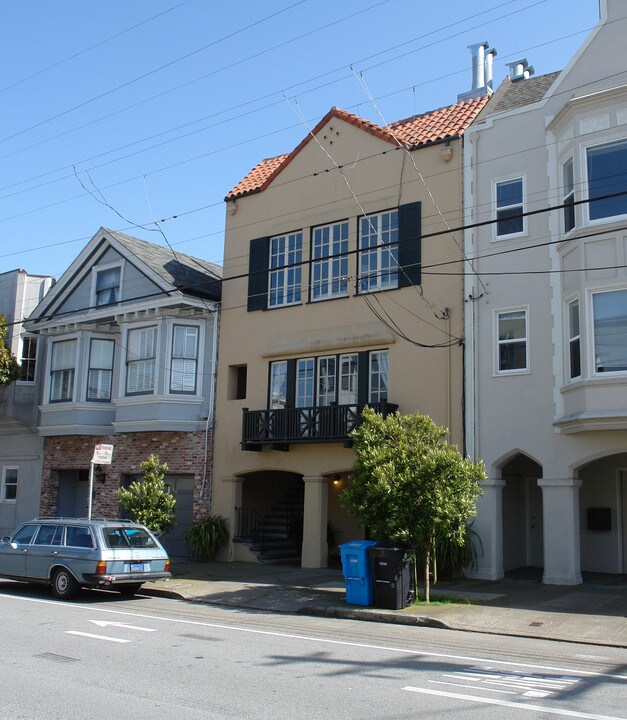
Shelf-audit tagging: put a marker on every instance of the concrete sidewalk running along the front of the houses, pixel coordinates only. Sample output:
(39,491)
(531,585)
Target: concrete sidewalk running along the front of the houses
(594,612)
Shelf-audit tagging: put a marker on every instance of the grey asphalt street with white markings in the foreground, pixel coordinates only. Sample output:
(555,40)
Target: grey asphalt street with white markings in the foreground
(155,657)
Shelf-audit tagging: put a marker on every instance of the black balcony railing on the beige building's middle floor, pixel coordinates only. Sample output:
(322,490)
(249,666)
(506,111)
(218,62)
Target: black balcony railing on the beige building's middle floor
(283,427)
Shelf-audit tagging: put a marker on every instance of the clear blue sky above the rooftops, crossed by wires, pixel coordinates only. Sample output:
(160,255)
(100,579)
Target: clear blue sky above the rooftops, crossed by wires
(129,112)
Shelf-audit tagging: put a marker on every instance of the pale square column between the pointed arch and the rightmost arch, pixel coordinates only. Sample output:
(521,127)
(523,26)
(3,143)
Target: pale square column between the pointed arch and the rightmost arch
(560,517)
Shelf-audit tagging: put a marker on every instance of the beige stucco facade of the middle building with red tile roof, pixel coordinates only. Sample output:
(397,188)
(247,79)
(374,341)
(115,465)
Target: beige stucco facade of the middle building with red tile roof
(342,175)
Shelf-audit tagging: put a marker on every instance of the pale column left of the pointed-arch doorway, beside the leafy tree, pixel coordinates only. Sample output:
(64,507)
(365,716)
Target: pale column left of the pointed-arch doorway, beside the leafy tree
(489,527)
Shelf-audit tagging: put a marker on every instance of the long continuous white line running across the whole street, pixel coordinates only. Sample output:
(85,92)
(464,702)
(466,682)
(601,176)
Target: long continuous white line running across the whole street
(322,641)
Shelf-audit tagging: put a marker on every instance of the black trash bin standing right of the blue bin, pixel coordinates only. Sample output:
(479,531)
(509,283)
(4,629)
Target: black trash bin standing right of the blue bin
(392,576)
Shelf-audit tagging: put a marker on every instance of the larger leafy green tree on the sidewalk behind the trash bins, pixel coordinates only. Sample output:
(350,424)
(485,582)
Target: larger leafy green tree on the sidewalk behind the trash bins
(409,486)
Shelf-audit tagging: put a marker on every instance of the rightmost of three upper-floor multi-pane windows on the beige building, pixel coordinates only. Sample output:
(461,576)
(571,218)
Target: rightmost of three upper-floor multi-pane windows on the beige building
(378,251)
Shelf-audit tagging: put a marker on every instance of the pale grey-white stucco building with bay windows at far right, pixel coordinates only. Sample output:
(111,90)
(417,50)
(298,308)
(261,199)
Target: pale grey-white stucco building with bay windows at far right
(545,192)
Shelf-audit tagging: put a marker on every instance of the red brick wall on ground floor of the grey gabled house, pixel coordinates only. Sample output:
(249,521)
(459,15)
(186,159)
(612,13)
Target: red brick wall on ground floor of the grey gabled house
(184,454)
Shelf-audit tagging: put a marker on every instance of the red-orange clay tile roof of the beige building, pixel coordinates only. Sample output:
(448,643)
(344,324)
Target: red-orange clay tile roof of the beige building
(411,133)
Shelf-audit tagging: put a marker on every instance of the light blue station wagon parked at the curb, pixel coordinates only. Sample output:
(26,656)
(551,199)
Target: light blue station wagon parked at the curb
(70,553)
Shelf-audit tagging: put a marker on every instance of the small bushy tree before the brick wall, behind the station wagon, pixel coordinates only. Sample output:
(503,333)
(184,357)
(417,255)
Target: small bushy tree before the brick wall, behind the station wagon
(150,501)
